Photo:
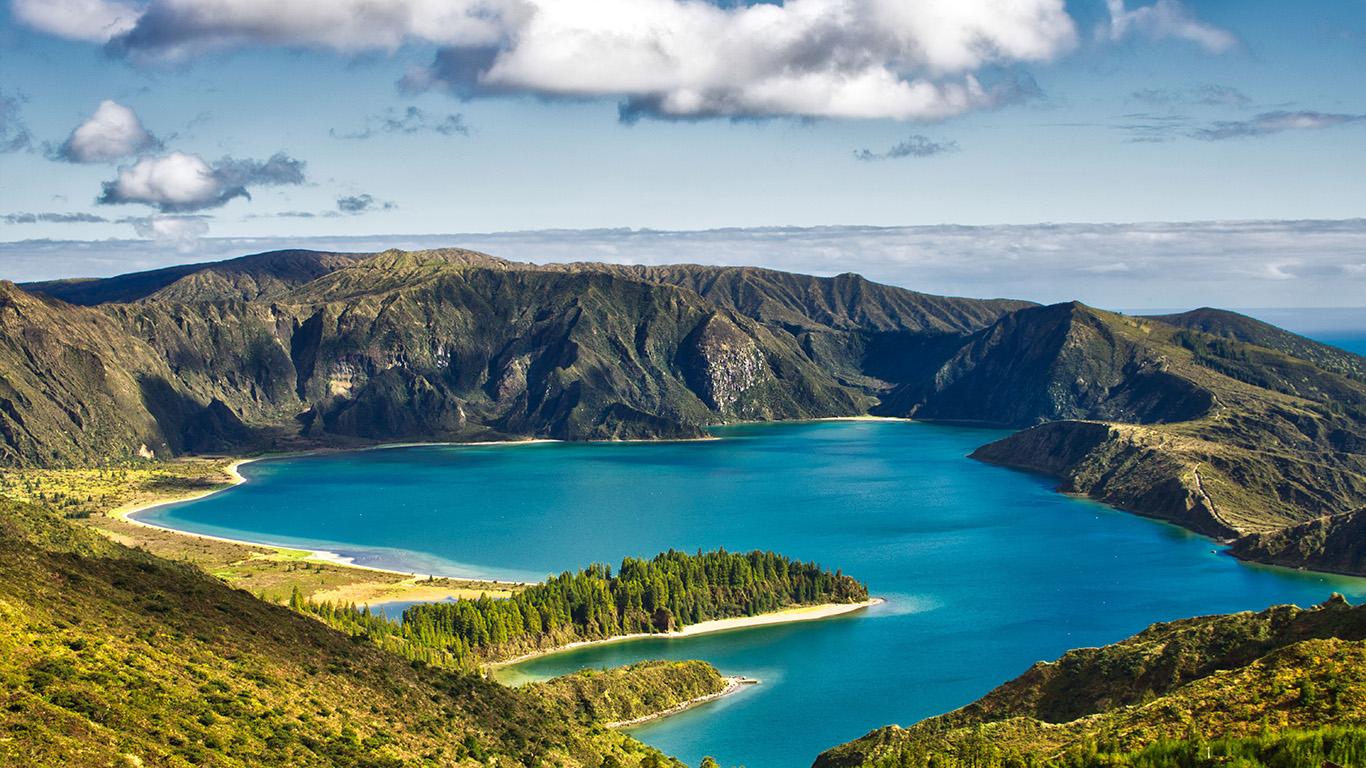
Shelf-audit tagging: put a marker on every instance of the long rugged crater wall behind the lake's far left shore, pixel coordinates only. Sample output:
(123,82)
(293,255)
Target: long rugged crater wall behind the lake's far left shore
(289,348)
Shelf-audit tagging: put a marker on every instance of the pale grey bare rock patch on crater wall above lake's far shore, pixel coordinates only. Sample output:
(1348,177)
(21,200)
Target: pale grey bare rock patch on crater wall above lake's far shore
(725,363)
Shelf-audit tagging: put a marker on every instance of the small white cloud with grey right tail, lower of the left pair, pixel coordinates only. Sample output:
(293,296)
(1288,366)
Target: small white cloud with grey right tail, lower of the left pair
(180,182)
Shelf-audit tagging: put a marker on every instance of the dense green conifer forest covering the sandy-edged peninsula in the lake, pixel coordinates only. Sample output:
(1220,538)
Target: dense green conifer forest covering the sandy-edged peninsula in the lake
(662,595)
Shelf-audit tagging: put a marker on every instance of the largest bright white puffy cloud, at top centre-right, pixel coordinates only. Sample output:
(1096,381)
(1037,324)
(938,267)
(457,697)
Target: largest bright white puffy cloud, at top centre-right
(809,58)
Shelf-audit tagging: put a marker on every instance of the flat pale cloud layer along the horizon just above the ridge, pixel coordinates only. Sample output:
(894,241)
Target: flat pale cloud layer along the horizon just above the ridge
(1115,266)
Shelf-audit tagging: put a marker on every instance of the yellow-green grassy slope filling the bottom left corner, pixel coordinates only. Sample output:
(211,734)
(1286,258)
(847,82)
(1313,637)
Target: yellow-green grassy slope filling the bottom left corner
(111,657)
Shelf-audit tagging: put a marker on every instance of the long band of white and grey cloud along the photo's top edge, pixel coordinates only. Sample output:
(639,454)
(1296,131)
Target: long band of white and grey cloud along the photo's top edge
(669,58)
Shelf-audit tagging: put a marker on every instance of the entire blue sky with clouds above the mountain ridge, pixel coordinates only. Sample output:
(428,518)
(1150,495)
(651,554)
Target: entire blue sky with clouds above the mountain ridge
(1134,154)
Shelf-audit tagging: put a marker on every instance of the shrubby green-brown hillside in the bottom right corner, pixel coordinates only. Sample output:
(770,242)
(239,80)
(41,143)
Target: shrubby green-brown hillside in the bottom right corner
(1216,677)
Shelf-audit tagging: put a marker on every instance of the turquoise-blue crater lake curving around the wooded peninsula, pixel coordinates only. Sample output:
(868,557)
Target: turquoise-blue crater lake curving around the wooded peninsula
(986,571)
